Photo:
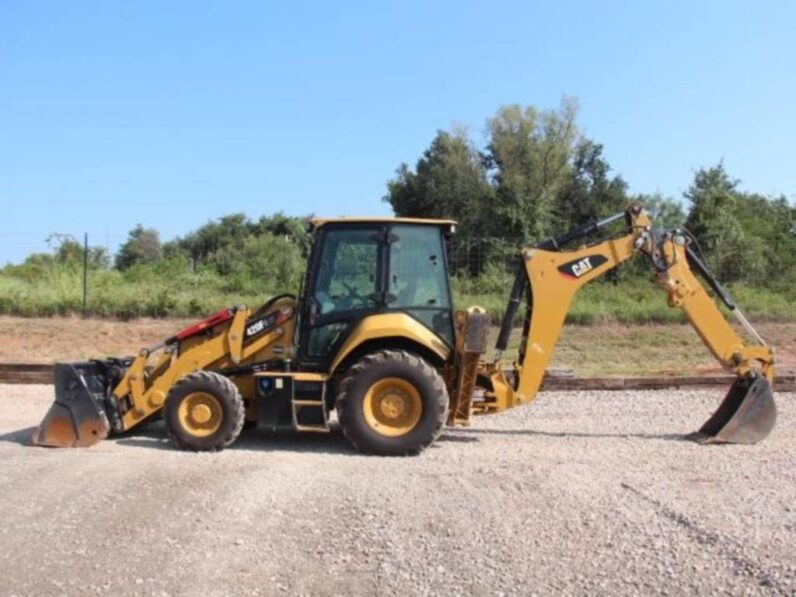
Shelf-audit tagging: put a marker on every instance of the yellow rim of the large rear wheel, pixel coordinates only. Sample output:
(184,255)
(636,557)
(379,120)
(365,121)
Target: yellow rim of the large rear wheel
(392,406)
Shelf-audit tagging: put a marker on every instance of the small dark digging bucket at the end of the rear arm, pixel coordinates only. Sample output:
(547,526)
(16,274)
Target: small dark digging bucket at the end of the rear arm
(746,415)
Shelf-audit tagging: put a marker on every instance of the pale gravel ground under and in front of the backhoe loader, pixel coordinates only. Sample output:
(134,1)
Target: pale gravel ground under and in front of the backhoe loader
(578,493)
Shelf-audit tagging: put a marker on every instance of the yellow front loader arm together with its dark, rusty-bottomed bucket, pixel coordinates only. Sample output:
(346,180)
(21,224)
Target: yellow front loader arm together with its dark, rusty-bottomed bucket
(98,397)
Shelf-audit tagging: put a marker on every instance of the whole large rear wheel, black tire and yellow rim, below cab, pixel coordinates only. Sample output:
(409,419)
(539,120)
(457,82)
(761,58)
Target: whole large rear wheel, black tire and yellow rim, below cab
(392,403)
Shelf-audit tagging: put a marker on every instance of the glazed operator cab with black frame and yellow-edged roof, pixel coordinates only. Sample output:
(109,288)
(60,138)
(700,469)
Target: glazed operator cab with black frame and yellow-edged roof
(360,267)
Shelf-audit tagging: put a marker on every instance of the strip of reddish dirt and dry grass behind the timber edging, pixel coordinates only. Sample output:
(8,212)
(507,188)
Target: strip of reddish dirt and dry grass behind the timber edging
(599,350)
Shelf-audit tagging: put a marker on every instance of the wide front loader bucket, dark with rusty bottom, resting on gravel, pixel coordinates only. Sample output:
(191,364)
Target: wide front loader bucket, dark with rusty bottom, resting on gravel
(77,418)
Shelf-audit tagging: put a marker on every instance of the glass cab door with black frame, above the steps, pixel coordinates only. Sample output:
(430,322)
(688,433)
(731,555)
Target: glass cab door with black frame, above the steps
(345,284)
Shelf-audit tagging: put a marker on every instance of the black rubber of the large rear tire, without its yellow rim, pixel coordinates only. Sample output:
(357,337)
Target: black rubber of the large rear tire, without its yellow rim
(382,365)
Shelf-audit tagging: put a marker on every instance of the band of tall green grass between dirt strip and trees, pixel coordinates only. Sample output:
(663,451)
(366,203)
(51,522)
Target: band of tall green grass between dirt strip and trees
(181,293)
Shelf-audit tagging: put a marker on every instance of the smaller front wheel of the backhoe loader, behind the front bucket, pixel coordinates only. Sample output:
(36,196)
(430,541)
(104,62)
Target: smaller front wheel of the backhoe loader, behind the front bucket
(228,409)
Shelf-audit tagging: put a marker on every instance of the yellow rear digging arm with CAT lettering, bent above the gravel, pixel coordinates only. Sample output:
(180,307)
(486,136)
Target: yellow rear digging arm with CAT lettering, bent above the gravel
(549,279)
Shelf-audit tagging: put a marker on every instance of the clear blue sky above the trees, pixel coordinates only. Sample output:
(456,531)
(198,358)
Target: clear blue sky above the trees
(172,113)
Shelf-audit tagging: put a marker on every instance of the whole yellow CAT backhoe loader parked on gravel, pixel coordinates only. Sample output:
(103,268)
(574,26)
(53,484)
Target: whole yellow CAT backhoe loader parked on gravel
(373,335)
